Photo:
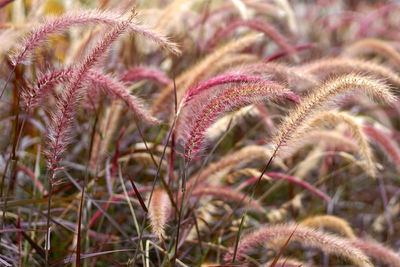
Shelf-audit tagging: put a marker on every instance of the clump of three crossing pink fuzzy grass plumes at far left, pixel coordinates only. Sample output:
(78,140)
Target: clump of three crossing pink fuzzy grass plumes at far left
(62,116)
